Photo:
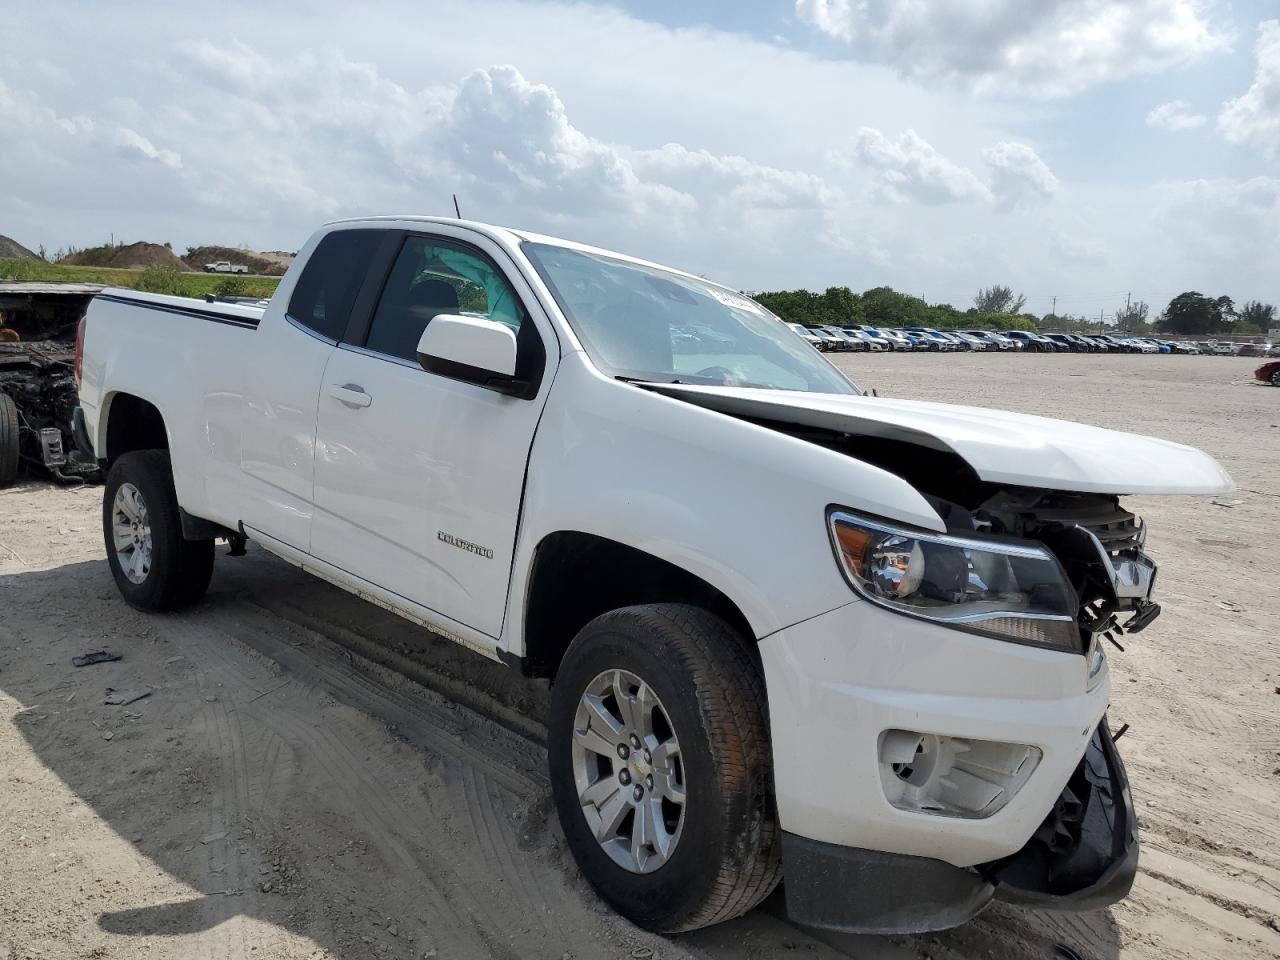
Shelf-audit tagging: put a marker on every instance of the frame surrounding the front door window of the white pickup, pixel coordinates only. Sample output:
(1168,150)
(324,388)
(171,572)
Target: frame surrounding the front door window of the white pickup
(376,282)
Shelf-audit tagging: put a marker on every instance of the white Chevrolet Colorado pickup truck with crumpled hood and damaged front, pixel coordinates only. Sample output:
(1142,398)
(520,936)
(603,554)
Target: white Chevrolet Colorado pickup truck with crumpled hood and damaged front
(790,628)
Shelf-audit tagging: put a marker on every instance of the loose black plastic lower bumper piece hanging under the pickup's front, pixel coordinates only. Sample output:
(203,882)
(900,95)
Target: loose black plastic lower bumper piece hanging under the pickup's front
(1084,858)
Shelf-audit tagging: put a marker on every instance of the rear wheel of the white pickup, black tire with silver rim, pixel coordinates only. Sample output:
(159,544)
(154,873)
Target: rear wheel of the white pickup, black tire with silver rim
(156,568)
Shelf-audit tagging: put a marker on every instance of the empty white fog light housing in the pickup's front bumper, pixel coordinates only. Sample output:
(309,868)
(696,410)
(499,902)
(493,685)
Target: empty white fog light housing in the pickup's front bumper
(945,776)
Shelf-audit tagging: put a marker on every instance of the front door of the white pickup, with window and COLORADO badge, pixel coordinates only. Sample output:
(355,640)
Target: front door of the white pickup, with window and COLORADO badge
(419,477)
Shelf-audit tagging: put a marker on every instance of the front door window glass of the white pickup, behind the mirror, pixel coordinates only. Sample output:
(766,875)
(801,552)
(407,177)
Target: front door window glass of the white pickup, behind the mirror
(432,278)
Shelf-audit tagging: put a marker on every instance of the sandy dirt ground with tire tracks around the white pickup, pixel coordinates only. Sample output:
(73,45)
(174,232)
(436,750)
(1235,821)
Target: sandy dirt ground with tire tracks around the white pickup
(313,778)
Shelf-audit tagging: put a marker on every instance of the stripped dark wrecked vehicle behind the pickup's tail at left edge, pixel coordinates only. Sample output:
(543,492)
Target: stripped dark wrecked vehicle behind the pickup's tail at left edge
(38,383)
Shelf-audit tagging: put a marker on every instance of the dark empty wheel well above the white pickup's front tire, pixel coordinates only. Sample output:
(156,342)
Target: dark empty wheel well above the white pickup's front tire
(579,577)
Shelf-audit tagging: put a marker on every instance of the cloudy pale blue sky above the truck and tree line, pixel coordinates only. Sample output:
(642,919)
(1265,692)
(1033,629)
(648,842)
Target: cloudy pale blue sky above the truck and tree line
(1080,152)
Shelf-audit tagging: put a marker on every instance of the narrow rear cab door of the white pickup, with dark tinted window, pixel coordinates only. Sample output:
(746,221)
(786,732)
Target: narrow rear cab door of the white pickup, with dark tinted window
(282,385)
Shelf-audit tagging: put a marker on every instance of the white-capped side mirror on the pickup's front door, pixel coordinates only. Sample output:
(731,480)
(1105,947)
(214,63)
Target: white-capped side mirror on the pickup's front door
(472,350)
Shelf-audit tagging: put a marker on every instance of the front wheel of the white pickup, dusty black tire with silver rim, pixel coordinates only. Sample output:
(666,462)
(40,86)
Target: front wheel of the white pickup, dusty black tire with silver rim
(661,767)
